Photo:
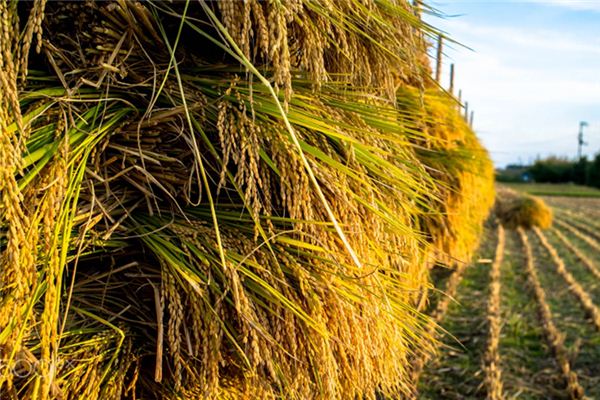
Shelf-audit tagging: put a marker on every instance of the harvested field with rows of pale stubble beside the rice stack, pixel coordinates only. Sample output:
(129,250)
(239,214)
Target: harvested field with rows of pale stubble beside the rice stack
(549,341)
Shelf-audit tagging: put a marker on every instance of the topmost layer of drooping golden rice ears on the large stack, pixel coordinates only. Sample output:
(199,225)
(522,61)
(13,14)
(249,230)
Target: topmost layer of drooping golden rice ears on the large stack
(317,37)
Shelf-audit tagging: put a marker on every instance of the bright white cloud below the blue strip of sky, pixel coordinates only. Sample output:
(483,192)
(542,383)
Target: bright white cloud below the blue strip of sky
(529,87)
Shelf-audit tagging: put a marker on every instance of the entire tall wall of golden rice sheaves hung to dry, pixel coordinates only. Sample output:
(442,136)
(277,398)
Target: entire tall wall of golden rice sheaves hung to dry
(224,199)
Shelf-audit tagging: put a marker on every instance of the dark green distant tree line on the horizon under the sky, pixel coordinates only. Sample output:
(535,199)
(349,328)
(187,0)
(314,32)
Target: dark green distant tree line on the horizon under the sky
(555,170)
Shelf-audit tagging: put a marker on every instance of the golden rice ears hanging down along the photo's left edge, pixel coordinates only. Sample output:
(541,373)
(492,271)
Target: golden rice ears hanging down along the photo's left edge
(18,256)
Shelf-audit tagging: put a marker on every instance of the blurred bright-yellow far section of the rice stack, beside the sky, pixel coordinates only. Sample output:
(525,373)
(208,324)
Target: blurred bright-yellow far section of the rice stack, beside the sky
(461,168)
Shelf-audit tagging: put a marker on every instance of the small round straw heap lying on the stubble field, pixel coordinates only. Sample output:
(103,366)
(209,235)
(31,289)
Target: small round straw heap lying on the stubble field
(520,210)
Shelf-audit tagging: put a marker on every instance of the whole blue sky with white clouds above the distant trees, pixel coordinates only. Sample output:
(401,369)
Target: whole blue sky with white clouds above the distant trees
(531,74)
